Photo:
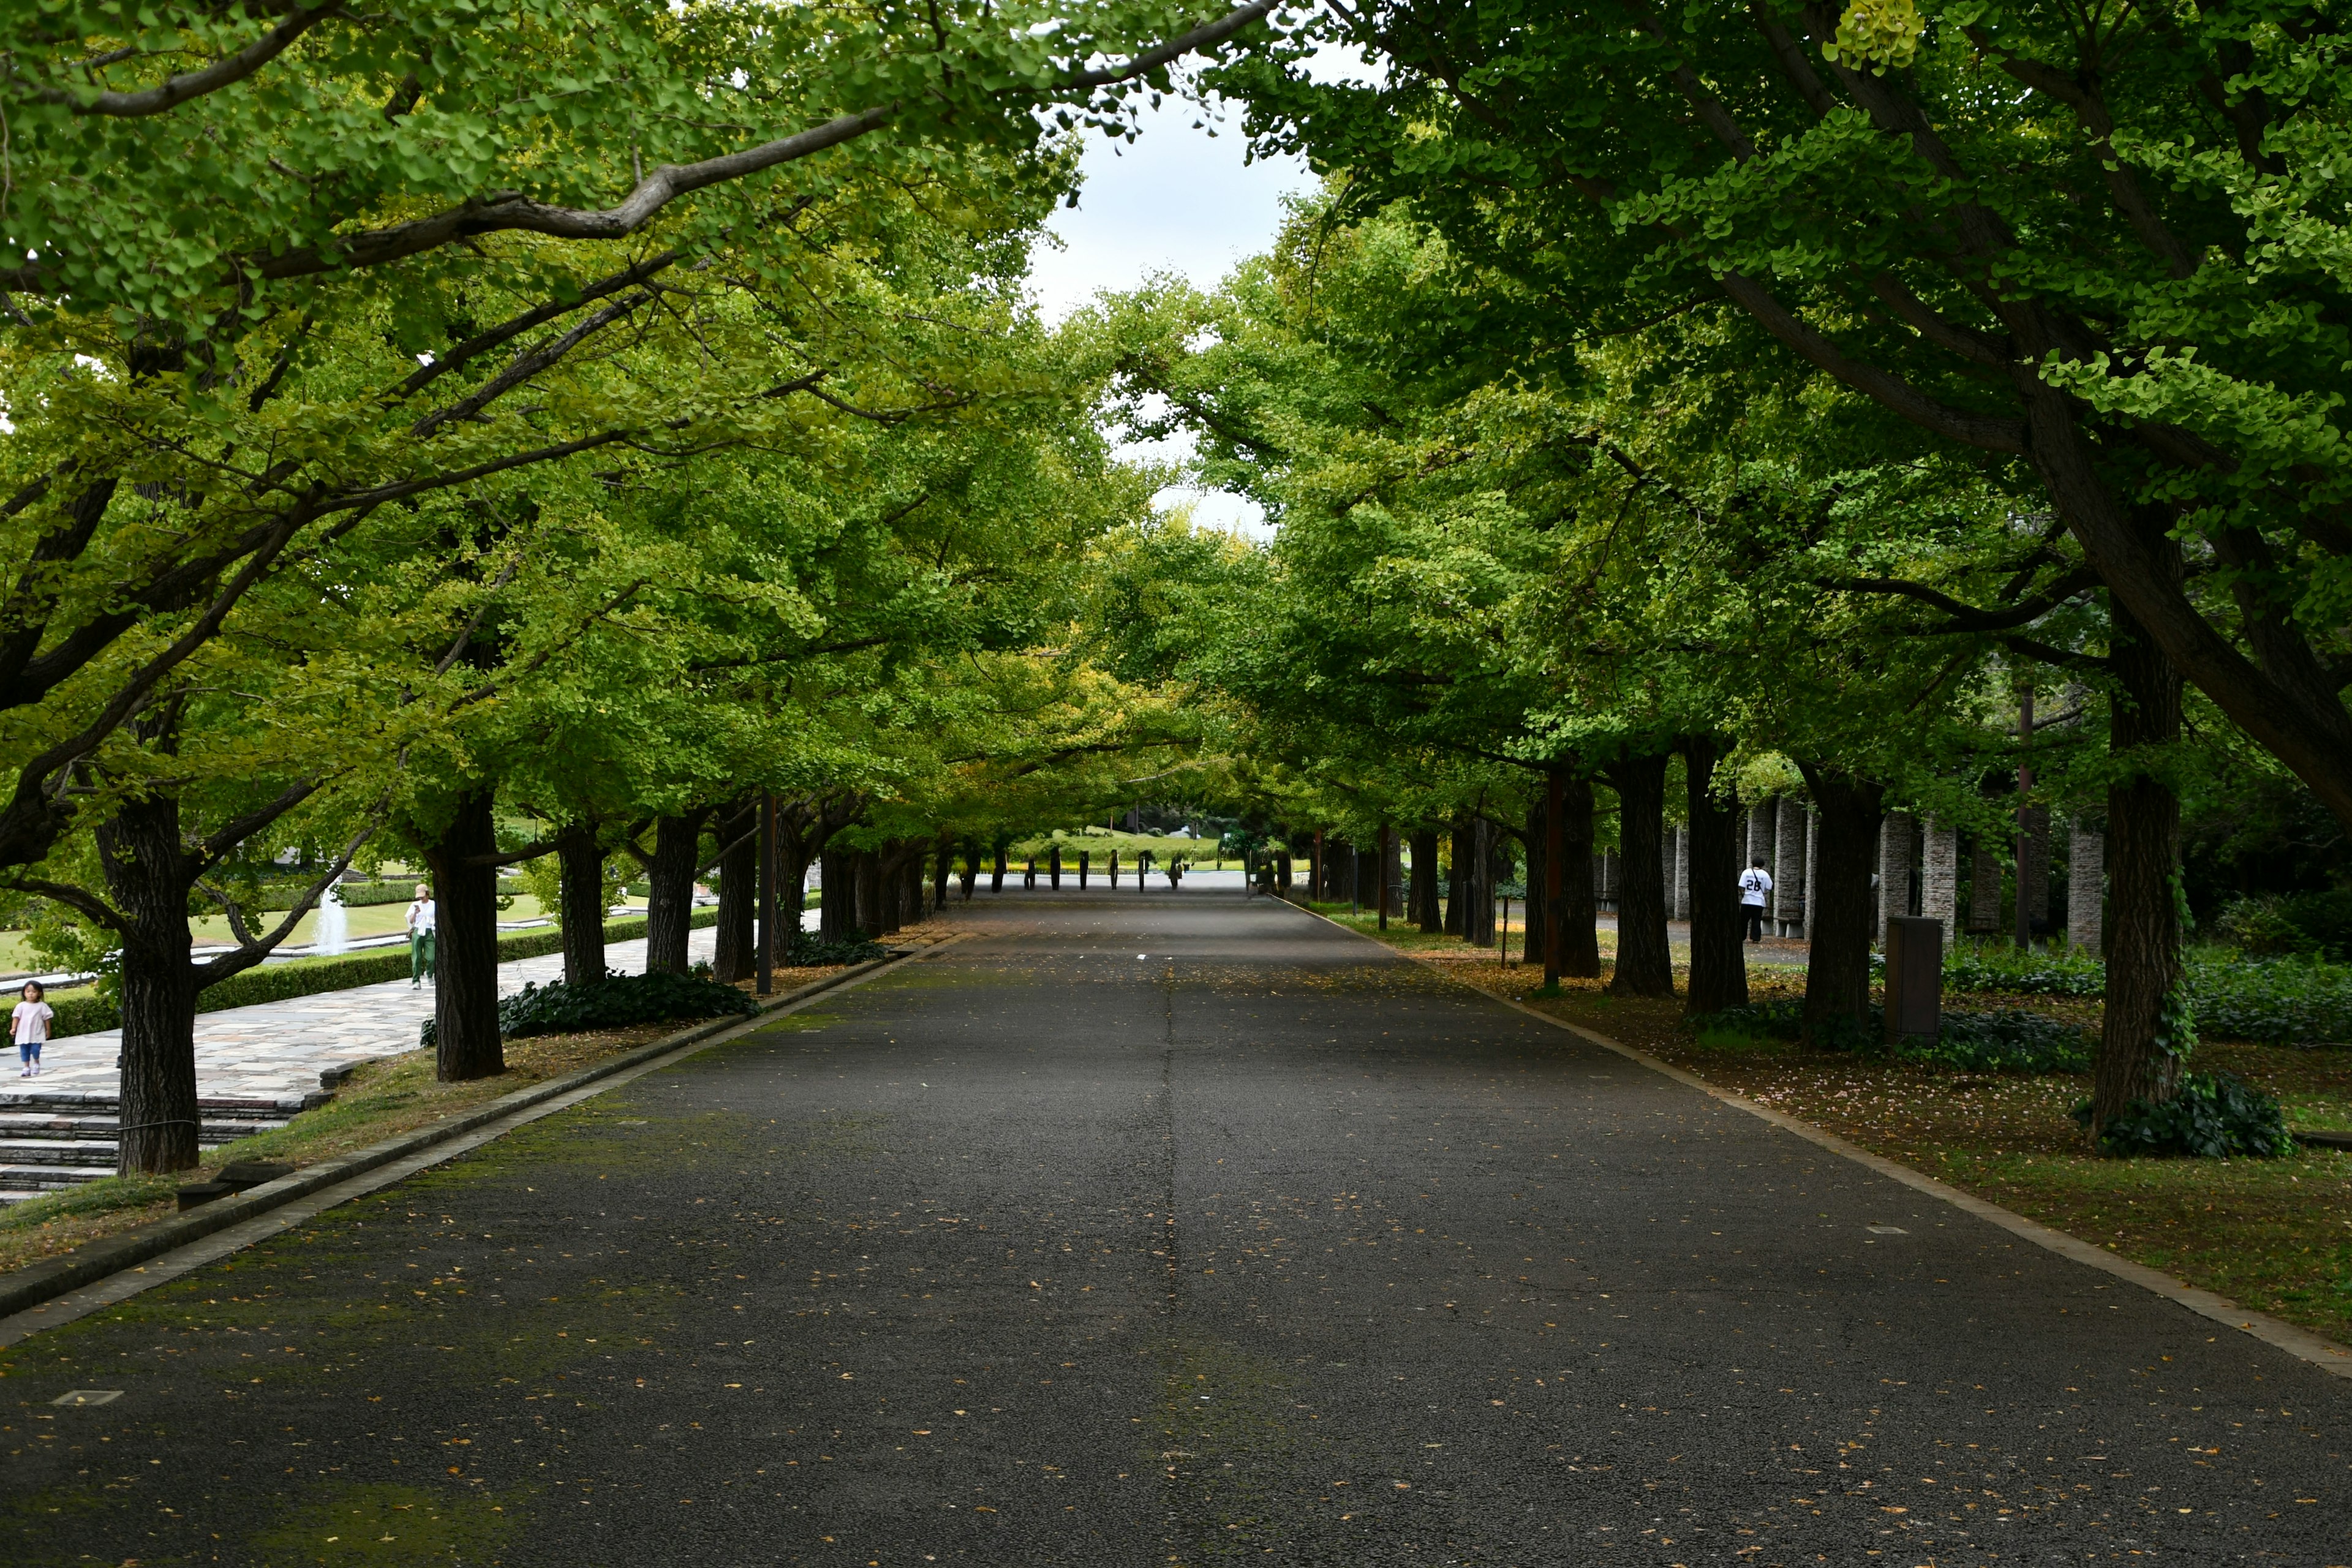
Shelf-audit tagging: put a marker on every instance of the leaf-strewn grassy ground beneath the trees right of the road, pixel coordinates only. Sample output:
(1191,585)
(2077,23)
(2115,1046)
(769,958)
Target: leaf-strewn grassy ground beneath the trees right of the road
(2273,1235)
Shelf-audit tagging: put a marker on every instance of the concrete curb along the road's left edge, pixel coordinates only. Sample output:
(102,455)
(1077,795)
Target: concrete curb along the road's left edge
(112,1257)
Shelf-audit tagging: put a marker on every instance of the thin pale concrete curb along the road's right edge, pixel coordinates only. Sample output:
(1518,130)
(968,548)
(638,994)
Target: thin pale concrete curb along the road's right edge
(2301,1343)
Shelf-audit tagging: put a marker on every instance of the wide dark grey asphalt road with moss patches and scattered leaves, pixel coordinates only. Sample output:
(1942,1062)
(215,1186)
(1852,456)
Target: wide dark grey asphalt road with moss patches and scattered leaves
(1161,1231)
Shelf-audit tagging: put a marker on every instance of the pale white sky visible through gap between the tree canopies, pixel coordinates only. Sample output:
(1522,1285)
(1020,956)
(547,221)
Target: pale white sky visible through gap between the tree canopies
(1172,201)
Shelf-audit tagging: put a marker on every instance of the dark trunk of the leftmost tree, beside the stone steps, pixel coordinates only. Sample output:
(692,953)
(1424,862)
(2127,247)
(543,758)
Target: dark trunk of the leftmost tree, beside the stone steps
(147,871)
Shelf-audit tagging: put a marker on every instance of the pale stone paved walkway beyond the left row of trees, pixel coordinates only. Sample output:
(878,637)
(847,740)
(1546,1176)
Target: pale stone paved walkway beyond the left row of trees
(276,1050)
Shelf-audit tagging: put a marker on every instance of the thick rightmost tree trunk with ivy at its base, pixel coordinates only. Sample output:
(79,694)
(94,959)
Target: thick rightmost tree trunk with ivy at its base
(2139,1059)
